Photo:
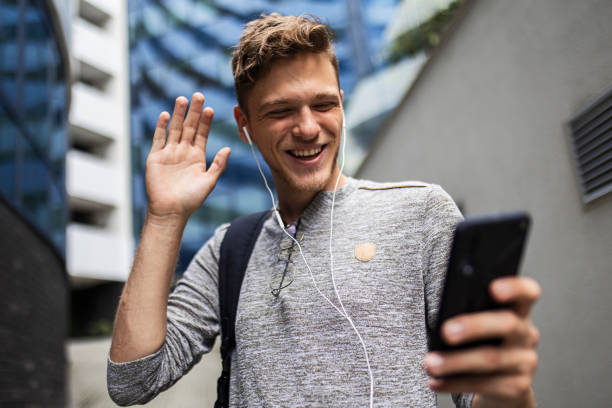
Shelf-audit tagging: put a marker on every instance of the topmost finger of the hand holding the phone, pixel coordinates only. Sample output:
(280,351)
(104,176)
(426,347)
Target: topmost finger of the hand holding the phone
(522,292)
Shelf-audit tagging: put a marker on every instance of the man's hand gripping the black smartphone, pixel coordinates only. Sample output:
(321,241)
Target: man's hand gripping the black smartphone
(501,376)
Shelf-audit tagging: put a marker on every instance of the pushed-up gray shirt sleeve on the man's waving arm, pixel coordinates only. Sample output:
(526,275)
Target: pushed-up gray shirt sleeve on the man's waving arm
(192,326)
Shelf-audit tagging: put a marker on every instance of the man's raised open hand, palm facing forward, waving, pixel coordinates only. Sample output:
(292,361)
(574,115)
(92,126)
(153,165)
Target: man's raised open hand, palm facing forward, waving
(177,180)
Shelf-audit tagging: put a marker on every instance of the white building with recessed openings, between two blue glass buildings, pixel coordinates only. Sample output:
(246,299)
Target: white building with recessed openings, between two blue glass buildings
(99,234)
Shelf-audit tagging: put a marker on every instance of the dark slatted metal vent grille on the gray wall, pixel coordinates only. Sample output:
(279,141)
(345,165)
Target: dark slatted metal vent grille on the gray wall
(591,143)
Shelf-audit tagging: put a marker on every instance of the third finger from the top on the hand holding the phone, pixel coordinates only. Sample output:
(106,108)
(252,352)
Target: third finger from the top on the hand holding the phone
(482,360)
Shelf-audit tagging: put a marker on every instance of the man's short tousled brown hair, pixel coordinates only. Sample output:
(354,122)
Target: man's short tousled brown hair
(271,37)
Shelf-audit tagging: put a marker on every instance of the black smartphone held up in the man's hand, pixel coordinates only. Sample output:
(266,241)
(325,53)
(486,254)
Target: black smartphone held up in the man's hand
(484,248)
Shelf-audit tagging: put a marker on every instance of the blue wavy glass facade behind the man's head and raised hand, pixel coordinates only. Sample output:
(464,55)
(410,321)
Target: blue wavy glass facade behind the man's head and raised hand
(181,46)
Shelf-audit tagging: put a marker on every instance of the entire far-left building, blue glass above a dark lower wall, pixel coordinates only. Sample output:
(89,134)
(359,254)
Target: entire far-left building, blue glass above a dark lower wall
(34,103)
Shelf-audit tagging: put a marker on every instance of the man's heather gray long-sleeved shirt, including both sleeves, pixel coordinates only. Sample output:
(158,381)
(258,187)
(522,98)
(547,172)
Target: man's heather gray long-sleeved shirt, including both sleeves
(295,350)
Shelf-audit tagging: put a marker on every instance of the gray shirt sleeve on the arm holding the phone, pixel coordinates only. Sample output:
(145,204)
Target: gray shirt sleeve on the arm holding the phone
(441,217)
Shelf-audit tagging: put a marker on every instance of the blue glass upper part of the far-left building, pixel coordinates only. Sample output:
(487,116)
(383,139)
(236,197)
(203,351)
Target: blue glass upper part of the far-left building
(33,116)
